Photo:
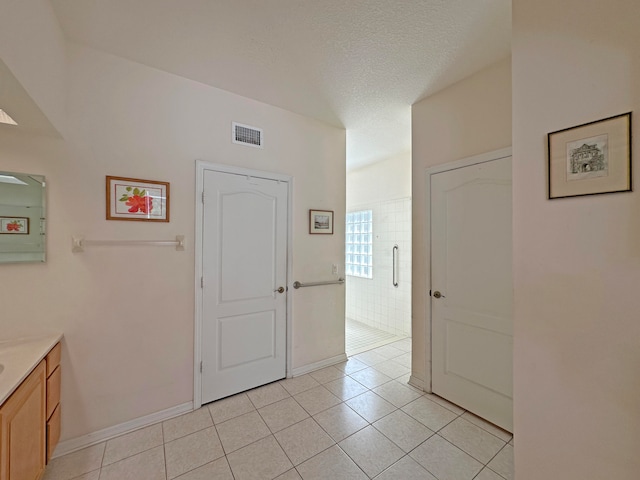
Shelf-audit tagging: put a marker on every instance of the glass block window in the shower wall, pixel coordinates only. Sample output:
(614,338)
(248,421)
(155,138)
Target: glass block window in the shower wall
(359,247)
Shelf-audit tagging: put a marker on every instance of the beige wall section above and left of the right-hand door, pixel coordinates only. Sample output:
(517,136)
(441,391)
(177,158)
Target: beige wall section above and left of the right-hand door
(466,119)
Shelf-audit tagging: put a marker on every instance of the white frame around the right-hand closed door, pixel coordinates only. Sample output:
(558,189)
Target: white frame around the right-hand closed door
(445,167)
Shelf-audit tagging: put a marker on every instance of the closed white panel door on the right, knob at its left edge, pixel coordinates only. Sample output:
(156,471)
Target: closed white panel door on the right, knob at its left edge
(472,295)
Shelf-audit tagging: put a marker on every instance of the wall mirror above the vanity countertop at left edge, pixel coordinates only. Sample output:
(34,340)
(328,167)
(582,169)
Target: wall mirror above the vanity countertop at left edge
(22,217)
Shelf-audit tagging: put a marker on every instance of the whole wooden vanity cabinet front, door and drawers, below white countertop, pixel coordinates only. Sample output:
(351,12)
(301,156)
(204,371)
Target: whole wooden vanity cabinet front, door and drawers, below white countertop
(30,422)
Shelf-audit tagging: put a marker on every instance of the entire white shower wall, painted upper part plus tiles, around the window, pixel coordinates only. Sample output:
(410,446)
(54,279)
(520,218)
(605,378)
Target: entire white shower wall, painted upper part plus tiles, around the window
(384,188)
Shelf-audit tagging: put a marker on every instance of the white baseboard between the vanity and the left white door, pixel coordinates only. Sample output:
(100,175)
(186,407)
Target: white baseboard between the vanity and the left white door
(78,443)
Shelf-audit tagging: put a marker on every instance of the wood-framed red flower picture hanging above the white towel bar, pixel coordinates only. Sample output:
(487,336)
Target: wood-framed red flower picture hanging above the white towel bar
(136,199)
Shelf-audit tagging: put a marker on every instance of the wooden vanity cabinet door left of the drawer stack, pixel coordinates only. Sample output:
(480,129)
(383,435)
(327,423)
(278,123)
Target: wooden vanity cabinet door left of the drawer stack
(22,429)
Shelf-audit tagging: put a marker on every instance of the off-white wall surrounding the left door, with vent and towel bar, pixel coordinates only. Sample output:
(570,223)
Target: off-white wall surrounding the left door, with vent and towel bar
(127,313)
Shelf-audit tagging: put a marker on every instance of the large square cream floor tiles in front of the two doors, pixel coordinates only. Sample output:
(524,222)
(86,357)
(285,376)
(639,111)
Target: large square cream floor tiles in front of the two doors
(356,420)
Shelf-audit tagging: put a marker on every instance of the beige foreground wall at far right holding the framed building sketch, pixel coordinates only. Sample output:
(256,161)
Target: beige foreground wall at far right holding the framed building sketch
(576,260)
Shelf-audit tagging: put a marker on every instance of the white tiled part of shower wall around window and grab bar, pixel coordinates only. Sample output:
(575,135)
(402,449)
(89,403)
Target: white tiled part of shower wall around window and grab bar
(376,301)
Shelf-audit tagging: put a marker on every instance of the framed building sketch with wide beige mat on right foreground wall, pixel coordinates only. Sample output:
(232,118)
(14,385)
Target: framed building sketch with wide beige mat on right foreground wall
(590,159)
